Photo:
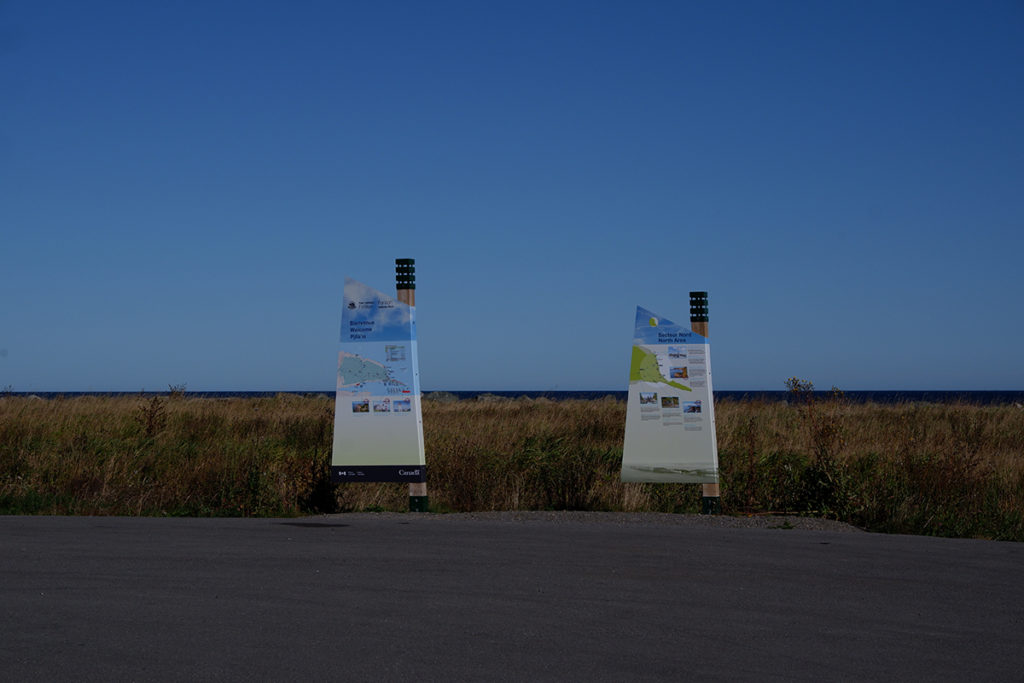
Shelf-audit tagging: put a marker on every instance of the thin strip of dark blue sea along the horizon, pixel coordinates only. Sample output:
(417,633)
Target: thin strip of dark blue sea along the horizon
(931,397)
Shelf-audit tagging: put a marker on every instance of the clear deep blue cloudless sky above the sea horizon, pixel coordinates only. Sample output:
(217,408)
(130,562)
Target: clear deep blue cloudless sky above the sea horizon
(185,187)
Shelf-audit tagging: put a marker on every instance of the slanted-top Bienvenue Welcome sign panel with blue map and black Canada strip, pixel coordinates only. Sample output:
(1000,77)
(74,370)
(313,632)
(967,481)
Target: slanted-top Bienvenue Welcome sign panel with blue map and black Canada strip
(378,424)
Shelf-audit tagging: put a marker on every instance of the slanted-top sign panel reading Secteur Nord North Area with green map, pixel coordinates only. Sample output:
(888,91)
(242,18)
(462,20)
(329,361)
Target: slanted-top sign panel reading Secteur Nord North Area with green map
(670,415)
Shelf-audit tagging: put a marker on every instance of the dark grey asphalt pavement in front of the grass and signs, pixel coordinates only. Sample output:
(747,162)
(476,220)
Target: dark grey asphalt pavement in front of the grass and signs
(397,597)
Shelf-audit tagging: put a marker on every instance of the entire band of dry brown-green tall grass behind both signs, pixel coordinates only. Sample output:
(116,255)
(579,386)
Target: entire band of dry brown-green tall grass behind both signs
(917,468)
